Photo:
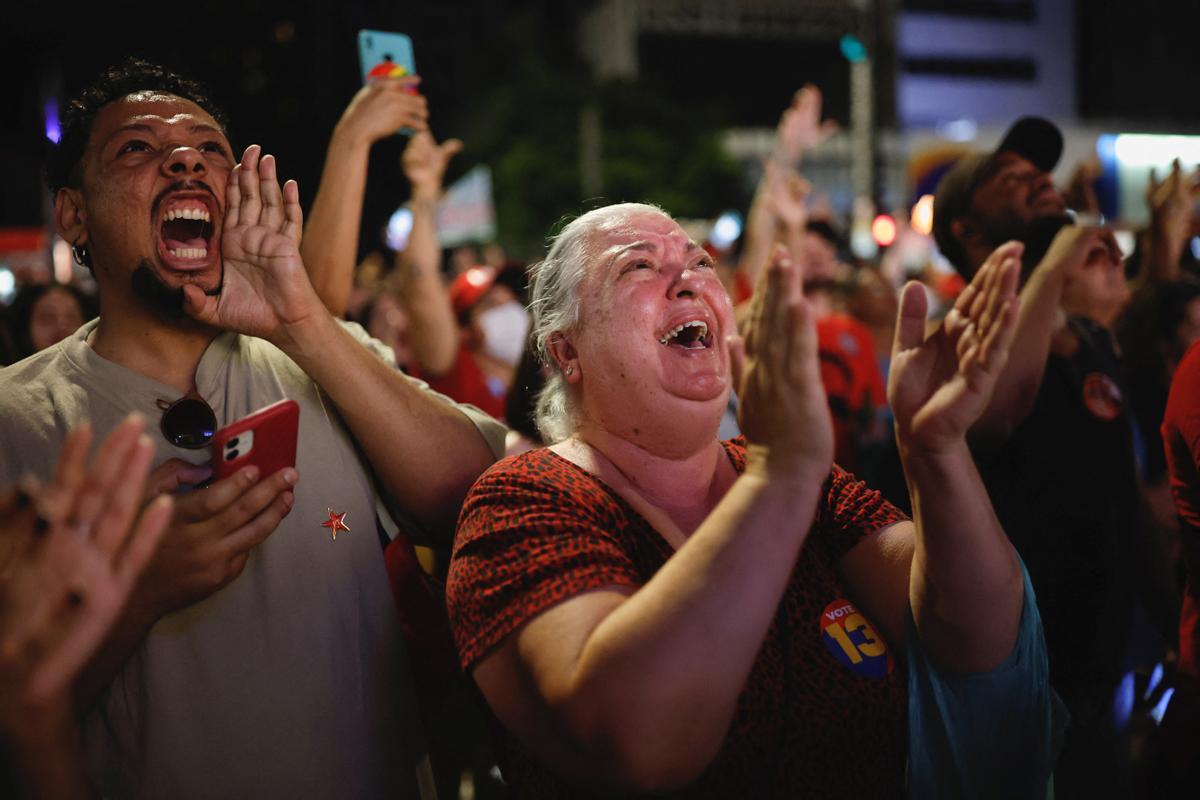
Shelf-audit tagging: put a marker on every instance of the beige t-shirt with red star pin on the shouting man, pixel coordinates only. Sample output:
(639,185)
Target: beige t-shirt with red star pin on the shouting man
(292,681)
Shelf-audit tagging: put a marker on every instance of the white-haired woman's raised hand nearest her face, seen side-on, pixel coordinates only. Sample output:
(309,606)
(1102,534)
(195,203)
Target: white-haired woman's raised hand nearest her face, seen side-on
(784,412)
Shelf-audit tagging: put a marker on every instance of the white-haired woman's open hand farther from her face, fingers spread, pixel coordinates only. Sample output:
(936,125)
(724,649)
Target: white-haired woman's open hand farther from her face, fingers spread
(939,386)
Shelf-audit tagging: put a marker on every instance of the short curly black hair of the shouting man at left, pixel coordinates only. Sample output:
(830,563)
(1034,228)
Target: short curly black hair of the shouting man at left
(133,76)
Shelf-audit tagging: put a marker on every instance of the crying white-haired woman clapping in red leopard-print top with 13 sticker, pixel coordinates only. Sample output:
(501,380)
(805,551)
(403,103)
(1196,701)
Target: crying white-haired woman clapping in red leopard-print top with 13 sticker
(649,610)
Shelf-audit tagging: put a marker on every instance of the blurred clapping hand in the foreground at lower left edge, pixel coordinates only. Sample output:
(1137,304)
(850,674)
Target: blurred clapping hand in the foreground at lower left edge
(74,554)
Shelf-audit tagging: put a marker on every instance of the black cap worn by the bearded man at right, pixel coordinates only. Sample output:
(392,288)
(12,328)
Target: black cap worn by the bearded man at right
(1034,139)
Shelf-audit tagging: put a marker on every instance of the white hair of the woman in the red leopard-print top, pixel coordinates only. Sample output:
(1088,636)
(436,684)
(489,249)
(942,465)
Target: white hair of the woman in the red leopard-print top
(555,305)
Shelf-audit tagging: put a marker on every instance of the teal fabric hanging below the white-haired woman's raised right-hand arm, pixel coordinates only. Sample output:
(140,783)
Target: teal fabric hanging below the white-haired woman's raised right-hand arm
(993,735)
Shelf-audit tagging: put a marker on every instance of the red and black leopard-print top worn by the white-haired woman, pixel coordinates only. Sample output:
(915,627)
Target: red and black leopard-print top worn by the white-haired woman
(824,712)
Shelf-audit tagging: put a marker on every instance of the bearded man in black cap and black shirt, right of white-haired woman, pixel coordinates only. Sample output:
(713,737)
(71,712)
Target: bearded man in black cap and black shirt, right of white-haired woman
(1057,446)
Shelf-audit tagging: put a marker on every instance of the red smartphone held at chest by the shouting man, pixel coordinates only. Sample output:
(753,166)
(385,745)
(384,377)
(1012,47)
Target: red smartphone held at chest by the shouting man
(267,440)
